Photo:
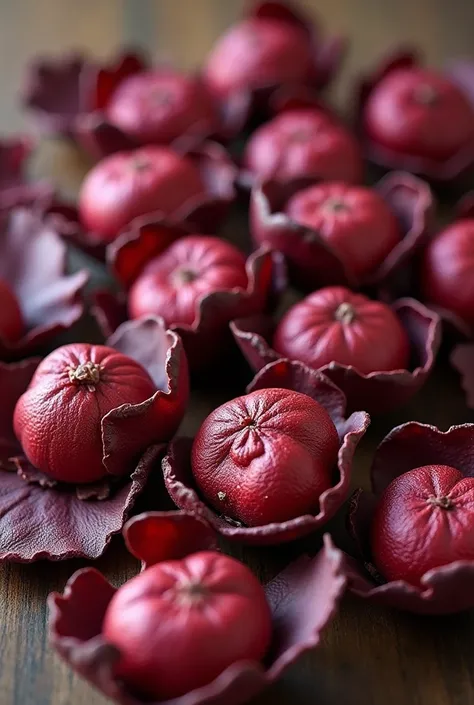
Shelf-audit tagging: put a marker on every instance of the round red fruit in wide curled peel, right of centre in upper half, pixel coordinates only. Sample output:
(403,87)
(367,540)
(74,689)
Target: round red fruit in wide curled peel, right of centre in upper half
(360,228)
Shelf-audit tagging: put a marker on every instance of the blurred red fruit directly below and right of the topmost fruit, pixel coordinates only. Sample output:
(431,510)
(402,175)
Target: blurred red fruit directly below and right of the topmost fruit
(304,143)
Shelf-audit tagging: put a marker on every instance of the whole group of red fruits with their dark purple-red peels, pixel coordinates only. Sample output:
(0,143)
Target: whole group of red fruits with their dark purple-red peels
(377,281)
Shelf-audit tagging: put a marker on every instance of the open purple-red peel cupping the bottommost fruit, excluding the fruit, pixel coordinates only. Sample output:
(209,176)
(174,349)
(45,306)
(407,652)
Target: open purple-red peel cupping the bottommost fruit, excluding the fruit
(303,598)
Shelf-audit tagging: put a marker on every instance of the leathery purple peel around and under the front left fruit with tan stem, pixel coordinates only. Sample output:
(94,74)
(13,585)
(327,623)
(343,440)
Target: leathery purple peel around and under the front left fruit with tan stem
(95,512)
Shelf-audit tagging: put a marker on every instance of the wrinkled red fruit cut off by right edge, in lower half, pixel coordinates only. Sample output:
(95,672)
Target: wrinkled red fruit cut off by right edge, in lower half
(423,520)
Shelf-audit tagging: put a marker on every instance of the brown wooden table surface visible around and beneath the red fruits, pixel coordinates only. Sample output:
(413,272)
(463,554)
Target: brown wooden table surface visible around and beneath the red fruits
(369,656)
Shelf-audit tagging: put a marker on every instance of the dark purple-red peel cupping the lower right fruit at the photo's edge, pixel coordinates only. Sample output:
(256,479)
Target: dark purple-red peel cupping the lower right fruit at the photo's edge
(444,590)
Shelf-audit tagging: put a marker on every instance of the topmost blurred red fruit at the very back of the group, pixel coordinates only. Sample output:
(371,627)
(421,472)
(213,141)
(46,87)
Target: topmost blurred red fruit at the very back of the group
(258,53)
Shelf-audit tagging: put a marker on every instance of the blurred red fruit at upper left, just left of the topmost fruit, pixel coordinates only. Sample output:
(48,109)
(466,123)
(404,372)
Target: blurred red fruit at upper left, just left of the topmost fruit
(156,107)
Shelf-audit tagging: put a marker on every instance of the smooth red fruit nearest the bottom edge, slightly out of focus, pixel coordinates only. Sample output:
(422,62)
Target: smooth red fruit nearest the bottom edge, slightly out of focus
(179,624)
